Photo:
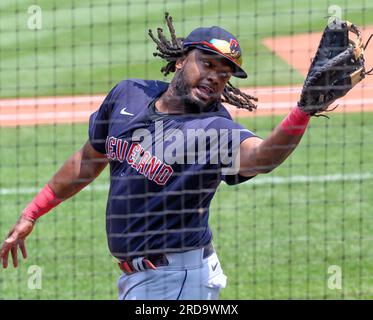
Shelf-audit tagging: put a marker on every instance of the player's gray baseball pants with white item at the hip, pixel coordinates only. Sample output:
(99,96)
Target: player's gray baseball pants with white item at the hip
(187,277)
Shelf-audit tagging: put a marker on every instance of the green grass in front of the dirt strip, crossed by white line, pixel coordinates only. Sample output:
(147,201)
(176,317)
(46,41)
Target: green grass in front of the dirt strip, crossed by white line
(274,240)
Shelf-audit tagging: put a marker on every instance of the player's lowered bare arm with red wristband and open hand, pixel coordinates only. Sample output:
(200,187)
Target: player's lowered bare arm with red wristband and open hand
(76,173)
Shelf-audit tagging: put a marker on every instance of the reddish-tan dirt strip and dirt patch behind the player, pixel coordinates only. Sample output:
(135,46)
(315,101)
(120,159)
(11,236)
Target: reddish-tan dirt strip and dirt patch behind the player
(272,100)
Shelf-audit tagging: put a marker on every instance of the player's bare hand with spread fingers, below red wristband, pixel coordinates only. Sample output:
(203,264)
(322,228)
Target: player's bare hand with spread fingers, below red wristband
(15,239)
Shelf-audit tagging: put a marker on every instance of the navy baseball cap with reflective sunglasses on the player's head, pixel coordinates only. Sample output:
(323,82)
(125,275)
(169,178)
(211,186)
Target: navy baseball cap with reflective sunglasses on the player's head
(217,40)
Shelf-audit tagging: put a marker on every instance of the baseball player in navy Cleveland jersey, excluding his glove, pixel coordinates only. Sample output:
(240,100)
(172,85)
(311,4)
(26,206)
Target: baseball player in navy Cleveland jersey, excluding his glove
(160,188)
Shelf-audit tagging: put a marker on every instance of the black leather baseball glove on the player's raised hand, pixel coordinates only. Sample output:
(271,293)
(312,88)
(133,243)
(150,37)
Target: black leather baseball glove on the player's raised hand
(337,67)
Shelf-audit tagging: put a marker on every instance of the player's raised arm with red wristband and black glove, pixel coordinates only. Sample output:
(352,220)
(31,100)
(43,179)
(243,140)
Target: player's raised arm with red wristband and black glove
(337,67)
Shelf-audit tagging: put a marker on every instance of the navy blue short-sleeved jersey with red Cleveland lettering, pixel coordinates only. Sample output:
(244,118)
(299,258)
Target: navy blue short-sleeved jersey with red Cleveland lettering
(160,186)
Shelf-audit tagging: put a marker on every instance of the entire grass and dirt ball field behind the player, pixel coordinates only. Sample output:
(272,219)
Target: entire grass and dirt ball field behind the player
(277,236)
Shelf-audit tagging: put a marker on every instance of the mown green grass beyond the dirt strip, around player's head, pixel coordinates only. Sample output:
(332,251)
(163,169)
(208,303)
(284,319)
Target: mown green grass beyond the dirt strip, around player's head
(86,46)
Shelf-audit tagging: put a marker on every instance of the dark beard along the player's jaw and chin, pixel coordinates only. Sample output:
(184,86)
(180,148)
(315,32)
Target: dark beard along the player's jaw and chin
(191,103)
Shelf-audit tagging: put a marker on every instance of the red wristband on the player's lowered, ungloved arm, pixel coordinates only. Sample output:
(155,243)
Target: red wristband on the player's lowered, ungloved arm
(44,201)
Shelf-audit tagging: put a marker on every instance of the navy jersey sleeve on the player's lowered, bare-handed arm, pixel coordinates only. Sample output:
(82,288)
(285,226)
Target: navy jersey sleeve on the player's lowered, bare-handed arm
(99,122)
